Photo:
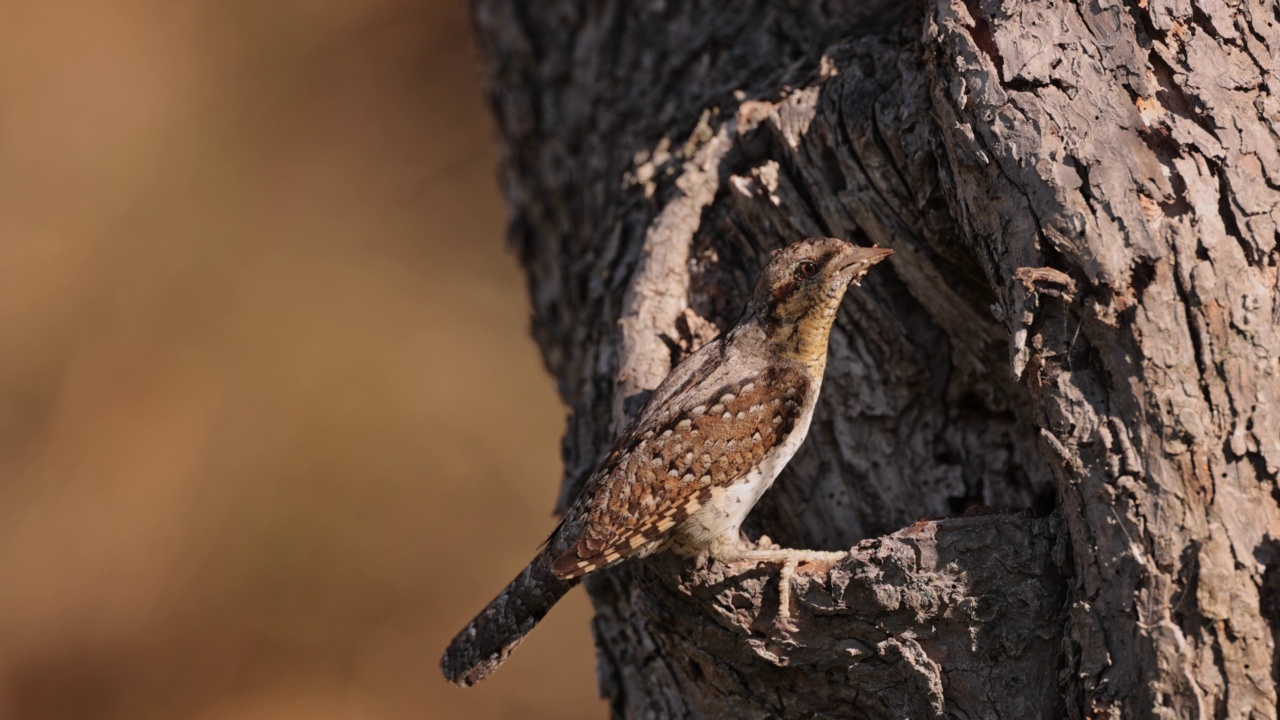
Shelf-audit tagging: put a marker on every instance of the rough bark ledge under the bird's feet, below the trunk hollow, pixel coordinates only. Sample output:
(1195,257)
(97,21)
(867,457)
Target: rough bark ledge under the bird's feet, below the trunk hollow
(959,618)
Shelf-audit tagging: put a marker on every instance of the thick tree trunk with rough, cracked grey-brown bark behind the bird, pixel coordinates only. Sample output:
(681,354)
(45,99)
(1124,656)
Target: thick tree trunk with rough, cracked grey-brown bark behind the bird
(1073,353)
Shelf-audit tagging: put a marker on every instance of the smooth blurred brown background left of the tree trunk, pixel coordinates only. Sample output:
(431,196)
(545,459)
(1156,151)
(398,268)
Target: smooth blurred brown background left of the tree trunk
(272,426)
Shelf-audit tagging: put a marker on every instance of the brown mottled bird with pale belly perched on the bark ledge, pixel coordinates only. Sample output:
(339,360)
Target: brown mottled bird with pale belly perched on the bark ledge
(705,448)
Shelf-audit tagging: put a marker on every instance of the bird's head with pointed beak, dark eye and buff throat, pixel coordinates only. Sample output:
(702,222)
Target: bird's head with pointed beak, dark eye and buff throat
(801,290)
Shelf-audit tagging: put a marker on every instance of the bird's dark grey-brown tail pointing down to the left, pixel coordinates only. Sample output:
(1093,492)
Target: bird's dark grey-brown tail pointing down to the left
(490,639)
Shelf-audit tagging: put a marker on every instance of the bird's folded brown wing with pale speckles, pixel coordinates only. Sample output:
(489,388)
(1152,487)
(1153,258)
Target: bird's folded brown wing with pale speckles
(666,468)
